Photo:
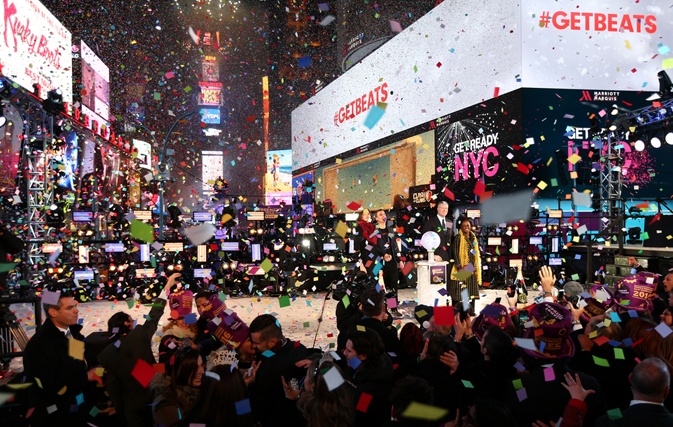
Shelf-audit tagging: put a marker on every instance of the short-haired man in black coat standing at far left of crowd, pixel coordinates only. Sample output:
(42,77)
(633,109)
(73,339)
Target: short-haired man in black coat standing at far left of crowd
(60,379)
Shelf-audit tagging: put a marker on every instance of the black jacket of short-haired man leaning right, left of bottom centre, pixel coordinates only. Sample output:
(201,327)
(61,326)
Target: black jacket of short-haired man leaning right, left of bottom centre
(267,397)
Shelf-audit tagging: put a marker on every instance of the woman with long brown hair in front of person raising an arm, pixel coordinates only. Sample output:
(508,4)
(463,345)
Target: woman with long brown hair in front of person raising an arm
(175,393)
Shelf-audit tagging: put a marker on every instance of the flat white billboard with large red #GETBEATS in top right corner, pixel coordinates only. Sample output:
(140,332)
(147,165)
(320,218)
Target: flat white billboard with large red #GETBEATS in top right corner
(598,45)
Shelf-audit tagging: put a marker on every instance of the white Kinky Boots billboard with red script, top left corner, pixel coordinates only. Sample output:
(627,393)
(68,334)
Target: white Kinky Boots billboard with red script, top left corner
(35,48)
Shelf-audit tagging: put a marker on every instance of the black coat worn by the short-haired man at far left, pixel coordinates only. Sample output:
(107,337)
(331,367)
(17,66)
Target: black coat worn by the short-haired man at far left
(47,358)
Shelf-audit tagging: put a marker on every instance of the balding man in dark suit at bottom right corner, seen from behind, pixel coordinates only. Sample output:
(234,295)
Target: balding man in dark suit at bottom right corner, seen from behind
(650,382)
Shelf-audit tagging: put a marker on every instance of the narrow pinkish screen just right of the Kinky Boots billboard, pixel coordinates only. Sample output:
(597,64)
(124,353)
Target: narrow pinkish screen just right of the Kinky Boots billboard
(96,82)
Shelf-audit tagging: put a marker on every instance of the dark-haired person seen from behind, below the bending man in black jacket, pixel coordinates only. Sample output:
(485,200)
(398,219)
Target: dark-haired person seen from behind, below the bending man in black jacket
(215,406)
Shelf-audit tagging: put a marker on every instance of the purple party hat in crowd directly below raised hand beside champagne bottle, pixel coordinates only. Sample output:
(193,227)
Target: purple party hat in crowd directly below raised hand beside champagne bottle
(552,325)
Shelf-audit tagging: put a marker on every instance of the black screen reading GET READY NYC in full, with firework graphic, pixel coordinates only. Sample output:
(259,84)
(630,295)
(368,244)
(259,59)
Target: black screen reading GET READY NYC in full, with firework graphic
(482,144)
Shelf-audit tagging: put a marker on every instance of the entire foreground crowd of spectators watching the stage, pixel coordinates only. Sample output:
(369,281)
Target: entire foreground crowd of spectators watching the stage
(605,361)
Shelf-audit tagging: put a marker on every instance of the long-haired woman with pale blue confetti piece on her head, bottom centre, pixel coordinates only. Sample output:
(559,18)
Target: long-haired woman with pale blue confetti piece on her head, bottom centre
(322,407)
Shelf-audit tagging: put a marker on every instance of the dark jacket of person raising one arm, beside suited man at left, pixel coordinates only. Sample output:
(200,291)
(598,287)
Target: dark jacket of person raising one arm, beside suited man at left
(129,397)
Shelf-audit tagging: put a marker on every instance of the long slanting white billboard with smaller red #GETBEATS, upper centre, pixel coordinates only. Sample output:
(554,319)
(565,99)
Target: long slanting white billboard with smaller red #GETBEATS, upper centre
(429,69)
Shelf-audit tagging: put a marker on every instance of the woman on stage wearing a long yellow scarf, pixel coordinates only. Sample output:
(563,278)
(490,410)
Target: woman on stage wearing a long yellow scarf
(466,252)
